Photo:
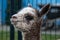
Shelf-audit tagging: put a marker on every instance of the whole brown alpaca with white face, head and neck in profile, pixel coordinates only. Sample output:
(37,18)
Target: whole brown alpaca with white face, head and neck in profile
(29,21)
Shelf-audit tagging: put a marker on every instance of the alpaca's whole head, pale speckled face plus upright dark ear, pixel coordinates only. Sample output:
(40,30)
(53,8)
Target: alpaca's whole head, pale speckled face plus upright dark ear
(27,17)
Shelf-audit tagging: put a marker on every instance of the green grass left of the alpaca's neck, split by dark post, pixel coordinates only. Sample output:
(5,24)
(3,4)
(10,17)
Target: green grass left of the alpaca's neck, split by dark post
(6,35)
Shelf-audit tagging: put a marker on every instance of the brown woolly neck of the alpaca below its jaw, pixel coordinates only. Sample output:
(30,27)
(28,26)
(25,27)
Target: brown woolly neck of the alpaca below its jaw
(32,35)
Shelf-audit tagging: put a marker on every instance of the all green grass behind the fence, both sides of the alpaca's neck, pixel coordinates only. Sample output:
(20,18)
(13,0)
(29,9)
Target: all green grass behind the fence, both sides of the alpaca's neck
(6,36)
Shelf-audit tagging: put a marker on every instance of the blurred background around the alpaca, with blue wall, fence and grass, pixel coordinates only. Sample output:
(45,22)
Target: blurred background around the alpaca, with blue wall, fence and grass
(51,24)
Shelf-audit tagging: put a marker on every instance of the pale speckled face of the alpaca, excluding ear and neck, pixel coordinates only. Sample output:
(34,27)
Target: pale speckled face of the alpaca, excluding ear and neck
(24,18)
